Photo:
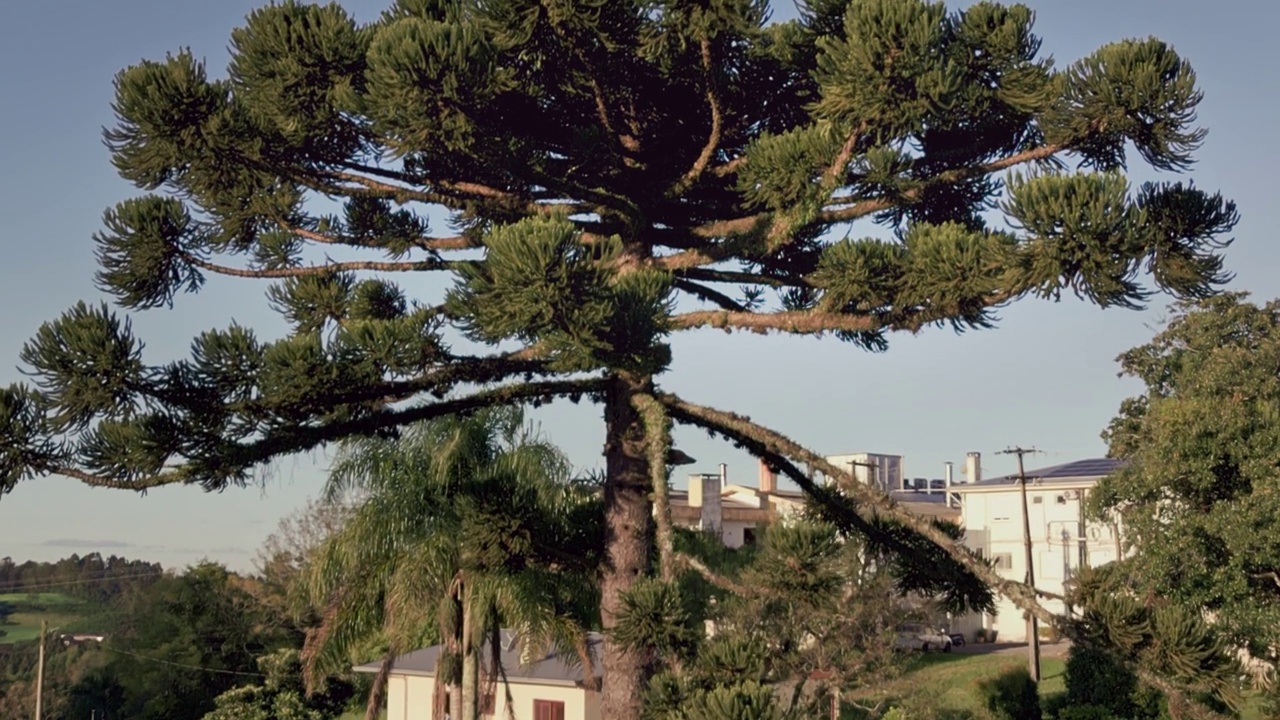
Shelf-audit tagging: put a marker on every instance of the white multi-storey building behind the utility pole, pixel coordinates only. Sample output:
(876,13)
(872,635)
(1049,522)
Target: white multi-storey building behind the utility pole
(1063,541)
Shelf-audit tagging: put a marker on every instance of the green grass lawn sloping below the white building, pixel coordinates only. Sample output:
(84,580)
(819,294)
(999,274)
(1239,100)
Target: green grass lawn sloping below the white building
(947,685)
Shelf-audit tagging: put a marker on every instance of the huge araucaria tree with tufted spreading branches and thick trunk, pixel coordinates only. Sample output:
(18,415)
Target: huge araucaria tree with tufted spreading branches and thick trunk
(611,172)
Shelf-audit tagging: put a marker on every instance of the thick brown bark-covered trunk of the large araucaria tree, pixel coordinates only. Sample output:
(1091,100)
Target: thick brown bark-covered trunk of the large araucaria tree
(628,516)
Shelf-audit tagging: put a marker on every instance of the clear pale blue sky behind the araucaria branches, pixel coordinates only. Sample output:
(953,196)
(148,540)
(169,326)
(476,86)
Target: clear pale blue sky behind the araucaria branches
(1045,377)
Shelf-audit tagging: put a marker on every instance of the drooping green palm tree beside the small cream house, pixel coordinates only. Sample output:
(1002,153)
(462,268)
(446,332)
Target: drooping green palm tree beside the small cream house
(461,526)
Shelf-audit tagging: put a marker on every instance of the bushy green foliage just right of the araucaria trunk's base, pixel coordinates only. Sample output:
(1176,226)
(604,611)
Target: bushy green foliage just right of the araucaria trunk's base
(804,616)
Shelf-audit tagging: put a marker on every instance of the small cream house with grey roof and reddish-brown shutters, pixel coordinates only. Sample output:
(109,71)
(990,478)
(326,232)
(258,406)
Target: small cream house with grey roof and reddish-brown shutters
(551,689)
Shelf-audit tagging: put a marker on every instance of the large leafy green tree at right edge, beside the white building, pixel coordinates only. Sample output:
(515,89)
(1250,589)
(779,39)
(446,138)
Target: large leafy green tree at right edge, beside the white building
(1199,502)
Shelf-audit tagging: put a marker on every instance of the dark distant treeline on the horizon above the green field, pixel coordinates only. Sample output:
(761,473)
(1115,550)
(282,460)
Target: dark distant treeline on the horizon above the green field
(92,577)
